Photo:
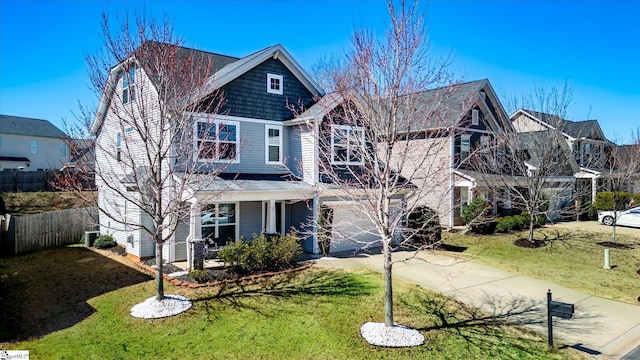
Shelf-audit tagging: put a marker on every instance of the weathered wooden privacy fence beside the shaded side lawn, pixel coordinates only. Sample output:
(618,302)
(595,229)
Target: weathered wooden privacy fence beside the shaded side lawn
(21,234)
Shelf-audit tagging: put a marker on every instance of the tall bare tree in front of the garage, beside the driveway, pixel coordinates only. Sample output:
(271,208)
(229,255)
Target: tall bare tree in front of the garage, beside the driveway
(384,138)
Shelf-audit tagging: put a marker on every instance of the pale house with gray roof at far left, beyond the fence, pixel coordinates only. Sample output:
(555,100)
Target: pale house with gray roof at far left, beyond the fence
(31,144)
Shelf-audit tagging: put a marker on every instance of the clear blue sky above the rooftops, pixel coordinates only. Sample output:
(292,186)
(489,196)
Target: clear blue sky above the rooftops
(515,44)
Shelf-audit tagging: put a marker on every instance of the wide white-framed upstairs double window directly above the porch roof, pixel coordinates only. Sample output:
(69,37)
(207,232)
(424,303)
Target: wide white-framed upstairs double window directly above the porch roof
(217,141)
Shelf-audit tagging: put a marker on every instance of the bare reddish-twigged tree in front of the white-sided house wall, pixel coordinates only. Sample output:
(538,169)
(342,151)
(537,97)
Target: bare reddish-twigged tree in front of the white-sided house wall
(156,98)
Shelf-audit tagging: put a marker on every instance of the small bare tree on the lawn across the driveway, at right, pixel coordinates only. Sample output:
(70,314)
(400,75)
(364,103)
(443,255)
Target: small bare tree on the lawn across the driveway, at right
(532,169)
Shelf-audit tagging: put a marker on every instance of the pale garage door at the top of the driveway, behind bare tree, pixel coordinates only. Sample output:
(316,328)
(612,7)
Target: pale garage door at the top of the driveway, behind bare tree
(351,224)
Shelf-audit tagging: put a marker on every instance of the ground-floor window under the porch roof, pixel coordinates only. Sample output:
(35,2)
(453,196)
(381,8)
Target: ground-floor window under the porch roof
(219,223)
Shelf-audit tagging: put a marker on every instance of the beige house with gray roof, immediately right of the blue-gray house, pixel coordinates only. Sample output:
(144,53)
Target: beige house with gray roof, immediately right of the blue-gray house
(472,115)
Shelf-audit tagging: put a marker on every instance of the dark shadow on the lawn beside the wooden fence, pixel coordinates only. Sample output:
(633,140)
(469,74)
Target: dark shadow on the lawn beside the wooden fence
(48,290)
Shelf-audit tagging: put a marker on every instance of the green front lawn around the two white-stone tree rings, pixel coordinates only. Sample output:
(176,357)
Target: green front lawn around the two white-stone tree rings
(315,314)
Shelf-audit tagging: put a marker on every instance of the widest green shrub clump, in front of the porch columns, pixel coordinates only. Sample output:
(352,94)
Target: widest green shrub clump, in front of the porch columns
(262,253)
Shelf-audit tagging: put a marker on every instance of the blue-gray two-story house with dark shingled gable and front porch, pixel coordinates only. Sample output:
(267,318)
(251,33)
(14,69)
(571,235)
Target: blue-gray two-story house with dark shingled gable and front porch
(270,185)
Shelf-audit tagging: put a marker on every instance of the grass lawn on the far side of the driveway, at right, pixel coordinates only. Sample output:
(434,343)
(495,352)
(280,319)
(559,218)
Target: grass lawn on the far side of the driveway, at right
(571,258)
